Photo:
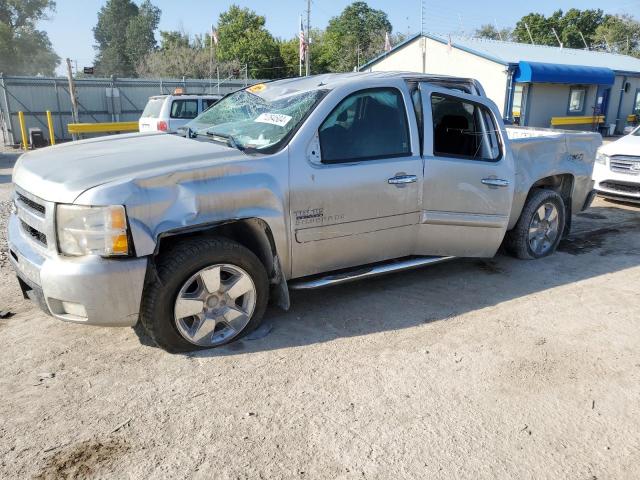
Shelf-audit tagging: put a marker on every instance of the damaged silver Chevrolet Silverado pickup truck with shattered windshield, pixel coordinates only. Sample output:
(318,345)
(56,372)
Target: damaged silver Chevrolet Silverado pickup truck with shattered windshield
(297,183)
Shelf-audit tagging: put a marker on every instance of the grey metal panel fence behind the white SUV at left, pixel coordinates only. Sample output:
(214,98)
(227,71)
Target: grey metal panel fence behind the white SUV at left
(99,100)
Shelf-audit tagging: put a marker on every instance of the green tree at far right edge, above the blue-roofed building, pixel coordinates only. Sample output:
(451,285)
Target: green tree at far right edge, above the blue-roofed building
(620,34)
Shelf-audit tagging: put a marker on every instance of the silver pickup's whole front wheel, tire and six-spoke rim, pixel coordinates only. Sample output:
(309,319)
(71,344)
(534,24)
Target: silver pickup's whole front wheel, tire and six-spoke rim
(209,292)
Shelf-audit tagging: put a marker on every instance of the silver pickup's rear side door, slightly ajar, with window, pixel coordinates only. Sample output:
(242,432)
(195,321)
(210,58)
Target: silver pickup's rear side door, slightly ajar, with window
(468,178)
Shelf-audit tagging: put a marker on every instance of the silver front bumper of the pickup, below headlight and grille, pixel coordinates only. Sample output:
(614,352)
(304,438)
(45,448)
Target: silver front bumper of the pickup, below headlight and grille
(90,290)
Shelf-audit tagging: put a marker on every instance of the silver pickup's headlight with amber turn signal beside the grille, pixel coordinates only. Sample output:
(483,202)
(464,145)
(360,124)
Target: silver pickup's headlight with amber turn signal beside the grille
(92,230)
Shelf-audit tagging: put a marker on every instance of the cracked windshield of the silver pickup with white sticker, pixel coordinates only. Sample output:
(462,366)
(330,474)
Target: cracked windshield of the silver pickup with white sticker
(257,117)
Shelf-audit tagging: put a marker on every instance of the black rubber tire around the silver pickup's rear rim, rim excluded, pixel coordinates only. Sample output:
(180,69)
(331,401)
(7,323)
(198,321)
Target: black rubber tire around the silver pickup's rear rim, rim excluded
(516,241)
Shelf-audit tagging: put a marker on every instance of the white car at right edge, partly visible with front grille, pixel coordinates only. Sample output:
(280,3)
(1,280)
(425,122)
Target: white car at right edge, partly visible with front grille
(617,168)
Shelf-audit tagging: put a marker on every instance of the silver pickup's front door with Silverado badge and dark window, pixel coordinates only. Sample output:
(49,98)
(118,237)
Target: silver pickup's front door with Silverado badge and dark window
(355,197)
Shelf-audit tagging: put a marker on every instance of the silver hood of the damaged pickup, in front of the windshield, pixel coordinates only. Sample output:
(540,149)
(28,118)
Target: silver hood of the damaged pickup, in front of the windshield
(61,173)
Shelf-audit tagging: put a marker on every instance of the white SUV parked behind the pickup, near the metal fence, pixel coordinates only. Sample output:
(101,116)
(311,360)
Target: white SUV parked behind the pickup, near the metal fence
(167,113)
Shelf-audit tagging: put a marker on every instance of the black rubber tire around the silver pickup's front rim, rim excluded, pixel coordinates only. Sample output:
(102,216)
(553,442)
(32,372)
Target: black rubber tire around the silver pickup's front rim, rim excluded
(175,267)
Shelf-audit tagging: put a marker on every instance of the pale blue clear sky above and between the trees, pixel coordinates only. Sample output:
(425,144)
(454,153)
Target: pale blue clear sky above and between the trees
(70,27)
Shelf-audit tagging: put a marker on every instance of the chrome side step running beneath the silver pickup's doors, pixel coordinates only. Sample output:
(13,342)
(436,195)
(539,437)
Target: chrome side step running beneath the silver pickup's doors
(367,271)
